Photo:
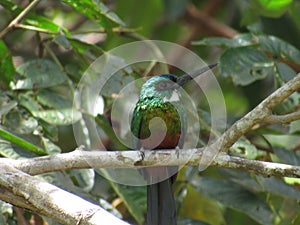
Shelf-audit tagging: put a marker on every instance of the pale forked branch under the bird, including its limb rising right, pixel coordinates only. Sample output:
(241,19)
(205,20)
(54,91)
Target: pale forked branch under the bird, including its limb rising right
(130,159)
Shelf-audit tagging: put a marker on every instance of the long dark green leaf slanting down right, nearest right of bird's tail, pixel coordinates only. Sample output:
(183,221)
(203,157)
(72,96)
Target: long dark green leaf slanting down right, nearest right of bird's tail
(236,197)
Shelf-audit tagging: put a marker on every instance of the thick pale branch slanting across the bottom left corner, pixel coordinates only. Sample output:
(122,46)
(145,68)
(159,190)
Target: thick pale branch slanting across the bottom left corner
(43,198)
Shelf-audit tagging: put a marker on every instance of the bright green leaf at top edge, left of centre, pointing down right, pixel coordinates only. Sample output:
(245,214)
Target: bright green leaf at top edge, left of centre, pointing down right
(96,11)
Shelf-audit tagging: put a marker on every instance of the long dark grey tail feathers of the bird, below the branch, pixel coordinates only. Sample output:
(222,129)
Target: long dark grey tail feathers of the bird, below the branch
(161,208)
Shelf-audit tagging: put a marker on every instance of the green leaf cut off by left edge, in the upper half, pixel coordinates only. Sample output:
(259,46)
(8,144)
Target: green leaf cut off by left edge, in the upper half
(7,68)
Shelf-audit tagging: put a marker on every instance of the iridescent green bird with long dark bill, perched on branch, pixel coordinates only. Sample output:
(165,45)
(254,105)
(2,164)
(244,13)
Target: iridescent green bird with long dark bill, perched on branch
(160,98)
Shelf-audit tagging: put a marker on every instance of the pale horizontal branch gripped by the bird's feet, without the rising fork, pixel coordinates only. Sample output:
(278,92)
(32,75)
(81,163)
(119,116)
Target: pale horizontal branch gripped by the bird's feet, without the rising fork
(79,159)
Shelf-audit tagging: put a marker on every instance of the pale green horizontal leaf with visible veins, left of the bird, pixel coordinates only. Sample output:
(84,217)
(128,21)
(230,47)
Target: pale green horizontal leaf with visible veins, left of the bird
(58,117)
